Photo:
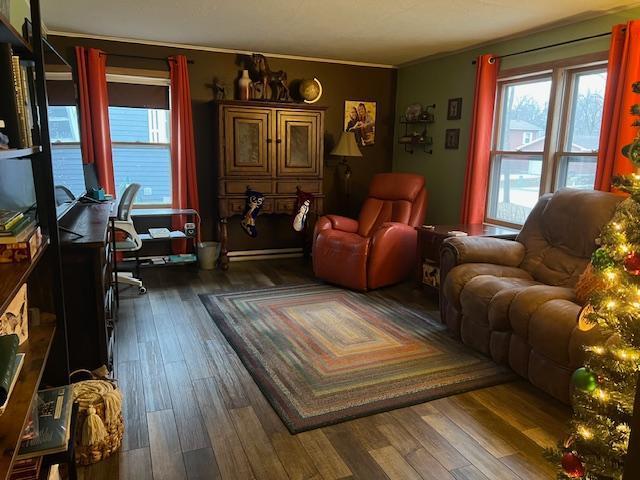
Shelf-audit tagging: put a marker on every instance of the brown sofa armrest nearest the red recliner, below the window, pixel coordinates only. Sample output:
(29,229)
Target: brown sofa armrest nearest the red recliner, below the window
(496,251)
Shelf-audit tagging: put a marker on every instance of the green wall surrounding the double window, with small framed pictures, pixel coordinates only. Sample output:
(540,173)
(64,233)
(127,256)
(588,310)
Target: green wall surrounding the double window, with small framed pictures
(451,76)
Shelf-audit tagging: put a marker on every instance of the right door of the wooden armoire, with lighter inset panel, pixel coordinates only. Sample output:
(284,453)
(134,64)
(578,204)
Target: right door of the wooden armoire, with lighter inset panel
(298,143)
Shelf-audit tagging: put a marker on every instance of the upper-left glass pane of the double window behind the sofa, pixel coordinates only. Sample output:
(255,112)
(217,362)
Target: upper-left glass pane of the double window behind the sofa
(525,106)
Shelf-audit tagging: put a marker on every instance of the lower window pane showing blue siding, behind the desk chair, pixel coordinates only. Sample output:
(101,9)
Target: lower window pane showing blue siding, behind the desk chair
(148,165)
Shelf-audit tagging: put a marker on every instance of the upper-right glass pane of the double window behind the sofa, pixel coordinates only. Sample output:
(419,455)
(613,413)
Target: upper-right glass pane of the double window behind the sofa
(586,111)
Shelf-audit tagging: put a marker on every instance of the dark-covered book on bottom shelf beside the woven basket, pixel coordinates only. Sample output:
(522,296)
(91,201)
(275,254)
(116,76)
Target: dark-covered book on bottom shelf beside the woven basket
(54,422)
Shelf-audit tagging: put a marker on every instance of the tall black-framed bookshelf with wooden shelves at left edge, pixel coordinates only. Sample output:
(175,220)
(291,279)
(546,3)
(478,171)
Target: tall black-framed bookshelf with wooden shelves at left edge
(46,349)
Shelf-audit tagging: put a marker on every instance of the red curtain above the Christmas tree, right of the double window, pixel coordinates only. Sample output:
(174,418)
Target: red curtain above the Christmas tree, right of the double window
(616,131)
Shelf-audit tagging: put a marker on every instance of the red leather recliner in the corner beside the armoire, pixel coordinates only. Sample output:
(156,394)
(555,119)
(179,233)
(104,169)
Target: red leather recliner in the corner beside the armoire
(380,247)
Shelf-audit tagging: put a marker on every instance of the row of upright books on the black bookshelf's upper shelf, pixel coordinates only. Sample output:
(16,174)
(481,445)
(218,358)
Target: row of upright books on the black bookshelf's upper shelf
(18,106)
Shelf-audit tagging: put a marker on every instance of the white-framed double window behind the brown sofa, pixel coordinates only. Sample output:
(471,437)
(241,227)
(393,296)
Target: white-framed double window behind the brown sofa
(546,135)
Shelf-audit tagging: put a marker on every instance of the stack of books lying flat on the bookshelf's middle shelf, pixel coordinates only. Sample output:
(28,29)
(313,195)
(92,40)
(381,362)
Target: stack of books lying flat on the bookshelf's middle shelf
(20,237)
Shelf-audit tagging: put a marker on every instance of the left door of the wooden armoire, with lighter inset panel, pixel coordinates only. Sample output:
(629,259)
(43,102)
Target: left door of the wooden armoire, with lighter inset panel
(248,142)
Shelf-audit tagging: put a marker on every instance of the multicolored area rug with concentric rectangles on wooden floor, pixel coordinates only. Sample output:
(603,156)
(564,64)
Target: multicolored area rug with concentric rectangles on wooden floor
(322,355)
